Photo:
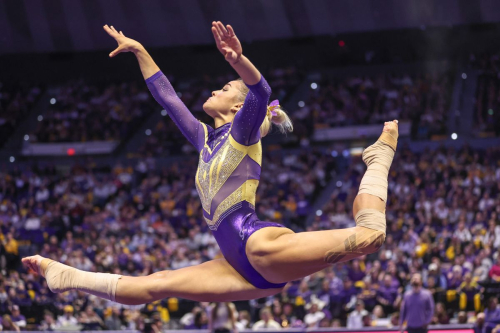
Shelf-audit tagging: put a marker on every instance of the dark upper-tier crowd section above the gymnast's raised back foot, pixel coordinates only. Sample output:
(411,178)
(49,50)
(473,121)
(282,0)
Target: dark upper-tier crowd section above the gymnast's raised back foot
(423,99)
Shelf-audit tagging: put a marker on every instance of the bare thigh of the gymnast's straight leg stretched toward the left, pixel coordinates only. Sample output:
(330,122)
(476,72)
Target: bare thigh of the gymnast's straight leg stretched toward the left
(212,281)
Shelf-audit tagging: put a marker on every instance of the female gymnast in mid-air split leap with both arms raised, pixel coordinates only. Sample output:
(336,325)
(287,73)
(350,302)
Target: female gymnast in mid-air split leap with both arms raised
(259,257)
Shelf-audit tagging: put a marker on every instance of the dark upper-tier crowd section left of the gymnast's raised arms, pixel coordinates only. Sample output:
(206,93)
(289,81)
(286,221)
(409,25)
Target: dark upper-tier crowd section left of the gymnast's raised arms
(82,112)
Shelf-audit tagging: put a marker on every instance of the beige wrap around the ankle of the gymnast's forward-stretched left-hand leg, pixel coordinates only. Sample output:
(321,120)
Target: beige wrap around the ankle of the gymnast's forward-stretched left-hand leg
(61,278)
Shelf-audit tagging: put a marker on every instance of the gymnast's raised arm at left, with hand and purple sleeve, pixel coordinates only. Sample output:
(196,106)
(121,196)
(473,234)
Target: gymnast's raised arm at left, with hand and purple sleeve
(160,88)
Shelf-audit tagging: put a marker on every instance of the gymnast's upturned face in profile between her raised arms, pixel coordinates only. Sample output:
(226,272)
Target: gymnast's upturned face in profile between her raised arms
(226,101)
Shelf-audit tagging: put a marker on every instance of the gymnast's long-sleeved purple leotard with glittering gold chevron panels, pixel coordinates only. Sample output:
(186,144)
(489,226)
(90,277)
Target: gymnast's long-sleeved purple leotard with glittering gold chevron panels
(228,171)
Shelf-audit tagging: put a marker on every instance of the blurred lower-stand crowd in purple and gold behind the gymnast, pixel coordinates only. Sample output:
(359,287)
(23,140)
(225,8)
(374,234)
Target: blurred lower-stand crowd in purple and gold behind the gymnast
(443,222)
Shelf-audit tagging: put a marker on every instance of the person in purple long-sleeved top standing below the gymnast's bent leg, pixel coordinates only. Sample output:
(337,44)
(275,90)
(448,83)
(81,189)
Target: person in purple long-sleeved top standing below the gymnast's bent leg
(417,308)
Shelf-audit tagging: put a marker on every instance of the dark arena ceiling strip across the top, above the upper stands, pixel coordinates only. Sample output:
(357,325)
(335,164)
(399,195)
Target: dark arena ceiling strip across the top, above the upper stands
(76,25)
